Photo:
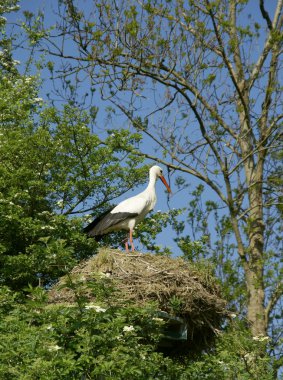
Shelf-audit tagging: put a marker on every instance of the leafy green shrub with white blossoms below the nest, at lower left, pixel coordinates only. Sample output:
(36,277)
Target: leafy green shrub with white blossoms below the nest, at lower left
(68,342)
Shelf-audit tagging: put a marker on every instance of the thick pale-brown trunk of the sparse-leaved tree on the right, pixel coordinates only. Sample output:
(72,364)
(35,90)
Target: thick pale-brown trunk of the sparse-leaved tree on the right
(253,165)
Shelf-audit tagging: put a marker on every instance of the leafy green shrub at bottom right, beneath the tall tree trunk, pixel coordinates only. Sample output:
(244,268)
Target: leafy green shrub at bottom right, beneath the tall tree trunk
(237,356)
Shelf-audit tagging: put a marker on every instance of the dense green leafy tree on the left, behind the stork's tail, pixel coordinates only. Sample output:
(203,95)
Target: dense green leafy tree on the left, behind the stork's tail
(51,165)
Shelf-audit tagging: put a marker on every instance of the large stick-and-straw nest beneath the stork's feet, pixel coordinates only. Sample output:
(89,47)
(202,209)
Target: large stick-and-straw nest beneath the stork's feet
(175,286)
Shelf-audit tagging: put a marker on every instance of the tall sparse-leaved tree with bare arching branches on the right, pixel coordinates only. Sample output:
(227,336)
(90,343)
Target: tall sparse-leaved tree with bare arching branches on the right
(202,81)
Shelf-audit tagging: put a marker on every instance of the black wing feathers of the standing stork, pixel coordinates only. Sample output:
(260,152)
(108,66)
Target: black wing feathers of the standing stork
(107,220)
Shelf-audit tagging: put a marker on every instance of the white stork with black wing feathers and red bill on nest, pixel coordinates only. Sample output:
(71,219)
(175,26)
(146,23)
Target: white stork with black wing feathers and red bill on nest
(127,214)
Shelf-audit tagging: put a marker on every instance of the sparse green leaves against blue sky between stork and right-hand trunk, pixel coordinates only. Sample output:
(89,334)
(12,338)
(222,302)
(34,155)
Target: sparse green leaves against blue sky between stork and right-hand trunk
(219,251)
